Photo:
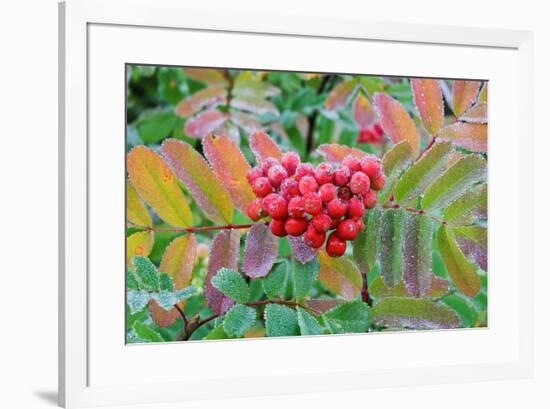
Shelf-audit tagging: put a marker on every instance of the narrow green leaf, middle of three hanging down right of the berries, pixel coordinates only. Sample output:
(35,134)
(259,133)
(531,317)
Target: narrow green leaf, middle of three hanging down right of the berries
(391,246)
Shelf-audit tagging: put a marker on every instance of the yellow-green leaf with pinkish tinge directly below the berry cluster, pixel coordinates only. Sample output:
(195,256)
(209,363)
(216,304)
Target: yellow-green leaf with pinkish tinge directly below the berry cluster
(340,275)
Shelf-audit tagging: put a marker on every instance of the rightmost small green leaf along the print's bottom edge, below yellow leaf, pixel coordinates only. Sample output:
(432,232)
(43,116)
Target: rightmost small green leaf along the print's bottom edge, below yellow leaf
(352,316)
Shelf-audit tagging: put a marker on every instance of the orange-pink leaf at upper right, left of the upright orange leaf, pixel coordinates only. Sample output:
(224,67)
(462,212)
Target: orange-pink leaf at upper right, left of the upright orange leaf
(396,121)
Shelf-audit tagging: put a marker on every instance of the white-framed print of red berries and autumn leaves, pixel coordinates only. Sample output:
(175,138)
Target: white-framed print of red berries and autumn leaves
(275,214)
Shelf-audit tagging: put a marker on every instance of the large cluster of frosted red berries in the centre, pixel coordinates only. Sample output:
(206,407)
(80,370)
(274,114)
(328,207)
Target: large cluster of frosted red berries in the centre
(302,199)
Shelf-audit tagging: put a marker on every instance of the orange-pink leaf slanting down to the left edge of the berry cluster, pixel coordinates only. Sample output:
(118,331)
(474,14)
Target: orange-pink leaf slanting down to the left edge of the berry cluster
(231,168)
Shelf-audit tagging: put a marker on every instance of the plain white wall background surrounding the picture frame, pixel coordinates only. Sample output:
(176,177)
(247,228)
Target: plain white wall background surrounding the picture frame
(28,164)
